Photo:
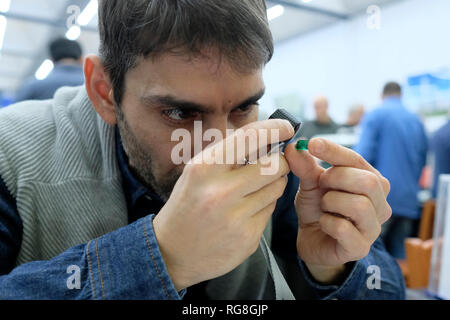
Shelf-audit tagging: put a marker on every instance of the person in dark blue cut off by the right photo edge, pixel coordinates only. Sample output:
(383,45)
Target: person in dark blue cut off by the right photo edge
(440,146)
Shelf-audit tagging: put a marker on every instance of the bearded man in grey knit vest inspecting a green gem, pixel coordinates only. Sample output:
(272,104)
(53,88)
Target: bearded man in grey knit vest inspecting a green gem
(95,208)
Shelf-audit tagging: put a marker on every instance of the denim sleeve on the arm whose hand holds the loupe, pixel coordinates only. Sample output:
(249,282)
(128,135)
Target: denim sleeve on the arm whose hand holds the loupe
(124,264)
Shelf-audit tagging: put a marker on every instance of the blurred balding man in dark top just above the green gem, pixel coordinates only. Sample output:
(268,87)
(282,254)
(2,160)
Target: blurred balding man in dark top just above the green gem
(323,124)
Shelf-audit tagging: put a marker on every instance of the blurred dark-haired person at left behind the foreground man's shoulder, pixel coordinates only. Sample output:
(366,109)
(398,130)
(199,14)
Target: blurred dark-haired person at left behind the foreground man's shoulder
(67,56)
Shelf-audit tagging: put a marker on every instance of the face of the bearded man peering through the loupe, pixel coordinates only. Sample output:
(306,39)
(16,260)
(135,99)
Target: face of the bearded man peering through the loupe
(172,92)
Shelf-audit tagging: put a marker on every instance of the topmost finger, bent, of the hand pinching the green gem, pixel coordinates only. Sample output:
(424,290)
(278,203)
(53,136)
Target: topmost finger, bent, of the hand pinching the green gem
(337,155)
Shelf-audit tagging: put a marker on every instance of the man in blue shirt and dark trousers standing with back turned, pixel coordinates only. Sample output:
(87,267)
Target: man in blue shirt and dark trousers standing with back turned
(393,140)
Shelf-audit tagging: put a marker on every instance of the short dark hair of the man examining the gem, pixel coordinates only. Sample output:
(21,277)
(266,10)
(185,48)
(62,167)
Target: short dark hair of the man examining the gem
(134,29)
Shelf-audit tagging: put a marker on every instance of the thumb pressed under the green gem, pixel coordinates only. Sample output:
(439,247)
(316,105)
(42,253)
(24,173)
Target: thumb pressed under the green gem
(303,165)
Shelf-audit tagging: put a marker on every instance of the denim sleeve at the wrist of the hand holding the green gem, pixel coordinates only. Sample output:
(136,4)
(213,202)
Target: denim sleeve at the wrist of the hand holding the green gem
(376,277)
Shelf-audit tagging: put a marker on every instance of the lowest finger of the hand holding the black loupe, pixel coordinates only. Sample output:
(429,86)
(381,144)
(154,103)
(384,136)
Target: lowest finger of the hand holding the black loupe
(257,201)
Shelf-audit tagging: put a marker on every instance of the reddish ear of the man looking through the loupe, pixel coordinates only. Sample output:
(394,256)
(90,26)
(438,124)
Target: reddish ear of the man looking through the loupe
(99,89)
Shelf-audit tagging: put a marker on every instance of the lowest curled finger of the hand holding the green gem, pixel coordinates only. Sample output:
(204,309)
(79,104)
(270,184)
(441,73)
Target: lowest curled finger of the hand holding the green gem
(353,245)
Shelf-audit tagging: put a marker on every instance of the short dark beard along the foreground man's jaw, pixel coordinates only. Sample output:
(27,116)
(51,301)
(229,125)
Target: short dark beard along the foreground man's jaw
(141,161)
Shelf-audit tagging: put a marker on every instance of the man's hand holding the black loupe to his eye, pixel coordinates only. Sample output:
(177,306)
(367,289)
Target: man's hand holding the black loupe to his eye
(217,213)
